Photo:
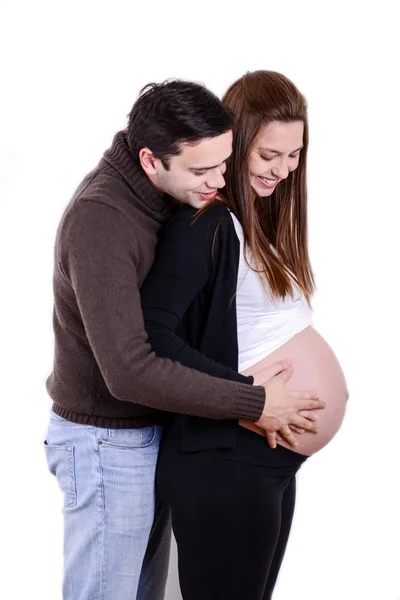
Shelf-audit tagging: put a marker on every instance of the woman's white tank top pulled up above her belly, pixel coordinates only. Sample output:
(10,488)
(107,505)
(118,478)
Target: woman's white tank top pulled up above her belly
(264,322)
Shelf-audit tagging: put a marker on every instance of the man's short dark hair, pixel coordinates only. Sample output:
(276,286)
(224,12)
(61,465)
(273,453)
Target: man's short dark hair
(167,114)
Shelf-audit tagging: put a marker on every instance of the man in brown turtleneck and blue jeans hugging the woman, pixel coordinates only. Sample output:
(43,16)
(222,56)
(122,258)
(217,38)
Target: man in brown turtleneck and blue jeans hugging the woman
(108,388)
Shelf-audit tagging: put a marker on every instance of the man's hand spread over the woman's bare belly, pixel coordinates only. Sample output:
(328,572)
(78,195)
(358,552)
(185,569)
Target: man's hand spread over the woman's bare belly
(282,405)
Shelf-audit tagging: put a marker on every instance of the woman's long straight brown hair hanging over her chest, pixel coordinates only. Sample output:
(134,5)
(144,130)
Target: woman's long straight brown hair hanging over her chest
(280,220)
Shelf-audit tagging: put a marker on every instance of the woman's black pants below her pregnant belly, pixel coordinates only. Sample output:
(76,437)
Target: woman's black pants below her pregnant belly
(231,515)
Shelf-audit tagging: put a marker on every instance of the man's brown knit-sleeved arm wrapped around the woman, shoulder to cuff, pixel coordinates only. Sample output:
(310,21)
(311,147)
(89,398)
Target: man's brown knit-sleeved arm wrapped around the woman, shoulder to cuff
(99,259)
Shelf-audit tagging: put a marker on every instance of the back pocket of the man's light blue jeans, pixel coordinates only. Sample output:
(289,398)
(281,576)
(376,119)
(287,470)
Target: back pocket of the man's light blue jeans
(61,463)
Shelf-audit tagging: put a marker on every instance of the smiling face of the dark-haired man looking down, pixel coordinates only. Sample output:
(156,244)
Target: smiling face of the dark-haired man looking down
(196,174)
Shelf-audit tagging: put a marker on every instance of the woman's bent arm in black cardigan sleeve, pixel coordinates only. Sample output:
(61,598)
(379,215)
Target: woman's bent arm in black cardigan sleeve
(180,272)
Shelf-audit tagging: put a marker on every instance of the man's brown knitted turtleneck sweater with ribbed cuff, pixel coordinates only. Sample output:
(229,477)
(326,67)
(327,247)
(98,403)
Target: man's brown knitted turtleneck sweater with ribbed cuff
(105,373)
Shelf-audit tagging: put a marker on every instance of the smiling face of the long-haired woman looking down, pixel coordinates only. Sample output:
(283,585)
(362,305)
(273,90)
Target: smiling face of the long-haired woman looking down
(275,153)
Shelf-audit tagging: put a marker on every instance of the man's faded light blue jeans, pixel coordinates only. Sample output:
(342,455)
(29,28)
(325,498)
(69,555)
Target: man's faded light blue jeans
(116,532)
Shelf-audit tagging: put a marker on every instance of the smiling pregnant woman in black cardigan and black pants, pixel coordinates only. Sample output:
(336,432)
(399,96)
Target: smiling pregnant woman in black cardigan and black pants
(237,283)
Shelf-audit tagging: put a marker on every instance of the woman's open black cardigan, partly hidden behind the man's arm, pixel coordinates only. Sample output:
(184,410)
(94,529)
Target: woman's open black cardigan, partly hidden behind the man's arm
(189,307)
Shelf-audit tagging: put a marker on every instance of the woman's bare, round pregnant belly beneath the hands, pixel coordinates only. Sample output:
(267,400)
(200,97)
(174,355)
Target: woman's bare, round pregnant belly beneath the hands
(316,368)
